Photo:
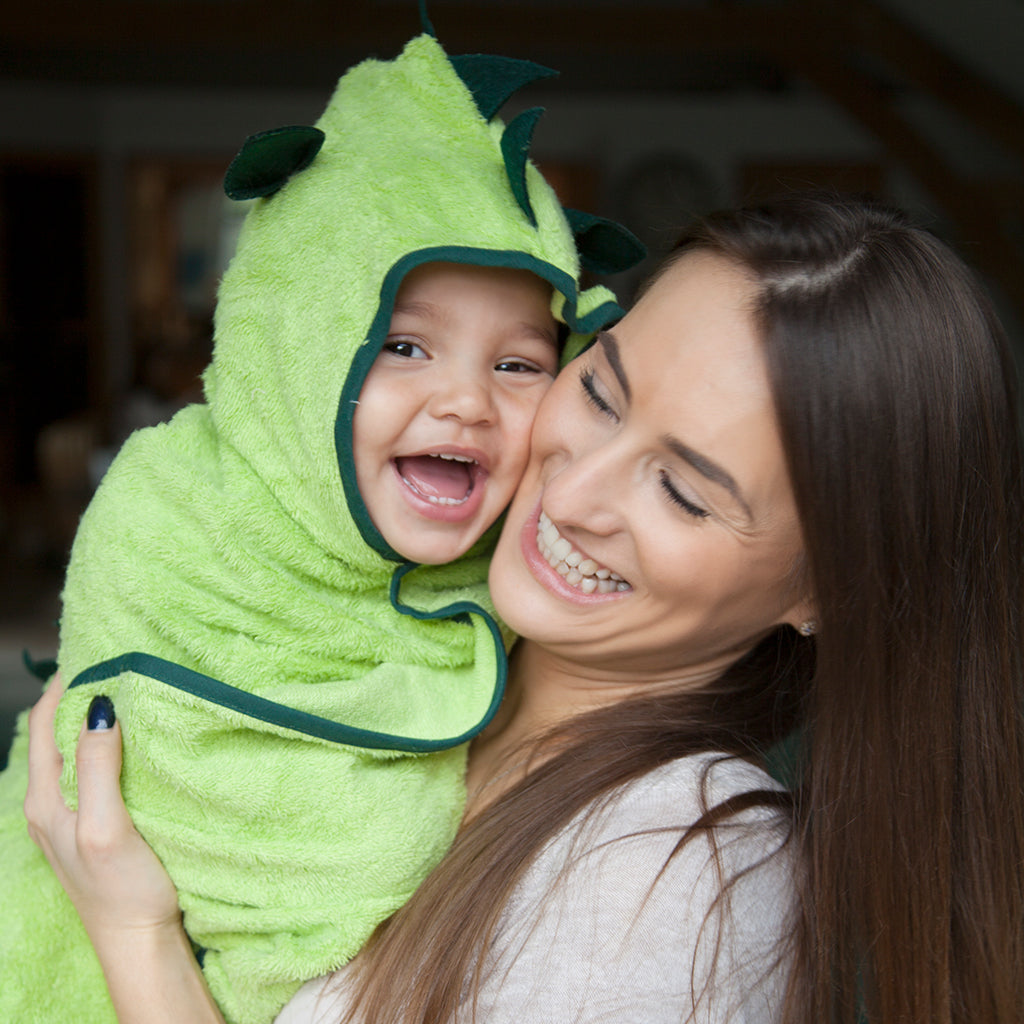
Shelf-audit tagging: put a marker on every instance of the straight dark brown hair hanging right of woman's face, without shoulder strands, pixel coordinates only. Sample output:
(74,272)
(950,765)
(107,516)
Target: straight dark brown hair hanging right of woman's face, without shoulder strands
(895,394)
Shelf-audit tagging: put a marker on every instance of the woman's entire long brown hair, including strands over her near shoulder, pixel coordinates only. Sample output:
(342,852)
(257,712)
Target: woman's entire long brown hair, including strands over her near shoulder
(895,397)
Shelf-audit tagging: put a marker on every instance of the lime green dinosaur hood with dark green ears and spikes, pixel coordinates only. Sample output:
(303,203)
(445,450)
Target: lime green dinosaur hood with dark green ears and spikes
(407,165)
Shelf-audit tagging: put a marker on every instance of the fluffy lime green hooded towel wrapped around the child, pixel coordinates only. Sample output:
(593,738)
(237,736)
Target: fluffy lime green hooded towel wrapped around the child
(294,699)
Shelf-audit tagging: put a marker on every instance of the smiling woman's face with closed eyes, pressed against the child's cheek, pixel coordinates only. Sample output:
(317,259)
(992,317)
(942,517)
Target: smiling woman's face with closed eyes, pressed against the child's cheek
(655,533)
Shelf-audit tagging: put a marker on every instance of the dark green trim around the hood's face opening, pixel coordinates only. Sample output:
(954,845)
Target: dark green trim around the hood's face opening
(368,352)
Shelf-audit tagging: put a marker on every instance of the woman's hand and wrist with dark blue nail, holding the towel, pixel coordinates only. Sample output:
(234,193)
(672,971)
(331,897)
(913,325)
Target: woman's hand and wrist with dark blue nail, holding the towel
(126,901)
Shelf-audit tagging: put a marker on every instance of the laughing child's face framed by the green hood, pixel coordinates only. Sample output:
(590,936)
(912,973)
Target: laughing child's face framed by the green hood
(442,432)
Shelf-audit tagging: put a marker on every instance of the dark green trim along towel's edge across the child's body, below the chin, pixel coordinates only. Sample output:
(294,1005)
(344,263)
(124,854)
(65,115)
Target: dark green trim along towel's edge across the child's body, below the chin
(216,692)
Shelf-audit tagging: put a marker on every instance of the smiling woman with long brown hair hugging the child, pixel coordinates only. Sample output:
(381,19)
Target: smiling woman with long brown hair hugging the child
(797,459)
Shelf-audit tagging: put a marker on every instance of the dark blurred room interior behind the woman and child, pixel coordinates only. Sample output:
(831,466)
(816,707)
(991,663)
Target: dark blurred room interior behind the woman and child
(119,117)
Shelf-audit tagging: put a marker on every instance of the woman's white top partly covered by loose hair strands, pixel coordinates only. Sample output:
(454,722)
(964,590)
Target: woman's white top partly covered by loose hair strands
(586,940)
